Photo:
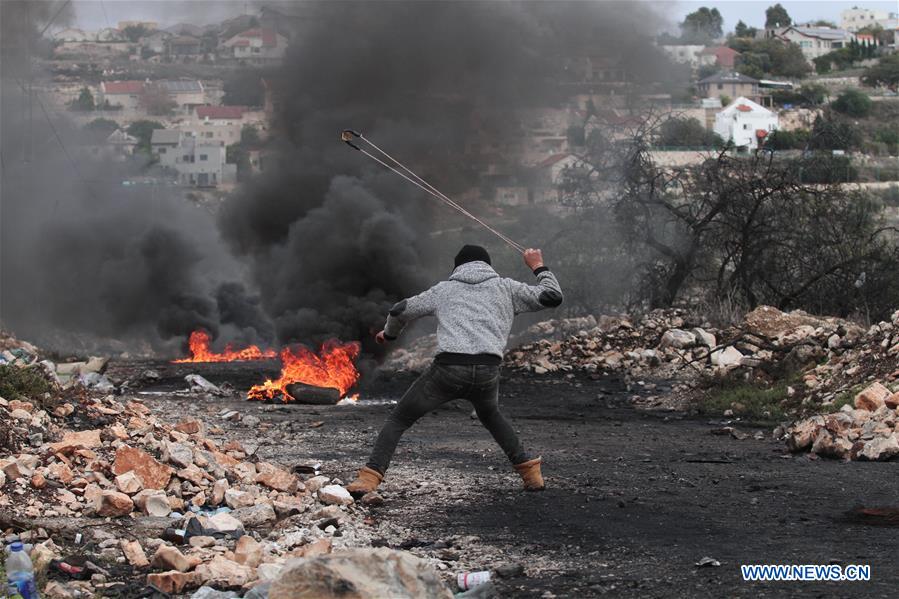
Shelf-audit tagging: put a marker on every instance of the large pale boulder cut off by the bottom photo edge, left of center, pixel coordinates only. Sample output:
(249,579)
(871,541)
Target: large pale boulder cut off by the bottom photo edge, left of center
(369,572)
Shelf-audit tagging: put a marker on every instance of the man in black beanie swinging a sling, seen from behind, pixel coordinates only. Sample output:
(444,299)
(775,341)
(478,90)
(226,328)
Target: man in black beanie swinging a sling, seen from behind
(474,311)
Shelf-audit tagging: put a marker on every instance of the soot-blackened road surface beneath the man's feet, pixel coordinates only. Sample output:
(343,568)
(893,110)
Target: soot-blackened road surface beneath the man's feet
(633,499)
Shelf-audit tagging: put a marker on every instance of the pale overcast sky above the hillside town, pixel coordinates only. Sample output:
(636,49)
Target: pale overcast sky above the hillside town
(95,14)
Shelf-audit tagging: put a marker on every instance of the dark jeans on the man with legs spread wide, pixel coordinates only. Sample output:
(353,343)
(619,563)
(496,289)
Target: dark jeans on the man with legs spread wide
(438,385)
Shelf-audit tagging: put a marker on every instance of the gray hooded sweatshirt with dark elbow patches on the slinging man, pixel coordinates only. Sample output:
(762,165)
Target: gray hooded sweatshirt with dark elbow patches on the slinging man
(475,308)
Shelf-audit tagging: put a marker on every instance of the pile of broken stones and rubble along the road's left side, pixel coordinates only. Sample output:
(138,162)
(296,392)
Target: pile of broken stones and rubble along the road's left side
(140,501)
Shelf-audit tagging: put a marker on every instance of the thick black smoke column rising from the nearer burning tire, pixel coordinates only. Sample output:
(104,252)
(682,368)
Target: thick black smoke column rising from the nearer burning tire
(333,239)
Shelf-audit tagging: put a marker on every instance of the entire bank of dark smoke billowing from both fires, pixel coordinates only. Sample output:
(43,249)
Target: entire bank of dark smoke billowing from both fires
(324,241)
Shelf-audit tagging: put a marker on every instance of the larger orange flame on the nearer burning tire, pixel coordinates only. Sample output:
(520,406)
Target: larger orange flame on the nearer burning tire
(333,367)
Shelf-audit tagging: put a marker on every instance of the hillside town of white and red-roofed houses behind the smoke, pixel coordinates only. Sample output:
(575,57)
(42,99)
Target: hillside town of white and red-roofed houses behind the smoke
(196,103)
